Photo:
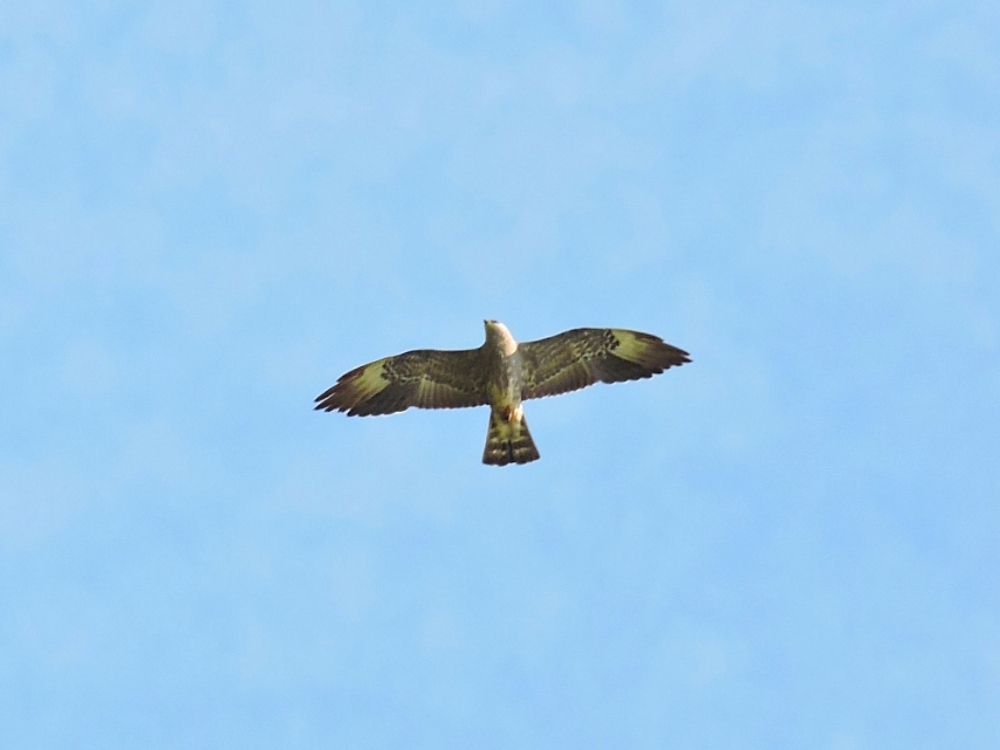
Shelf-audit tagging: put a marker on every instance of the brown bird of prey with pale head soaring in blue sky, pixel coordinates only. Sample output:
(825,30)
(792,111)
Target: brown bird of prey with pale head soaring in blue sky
(501,374)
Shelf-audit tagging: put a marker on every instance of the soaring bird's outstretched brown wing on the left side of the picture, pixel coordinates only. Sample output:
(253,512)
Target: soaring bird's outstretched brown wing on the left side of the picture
(425,378)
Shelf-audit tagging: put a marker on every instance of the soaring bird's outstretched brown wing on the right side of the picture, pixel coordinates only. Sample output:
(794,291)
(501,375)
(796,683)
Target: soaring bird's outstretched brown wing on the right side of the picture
(581,357)
